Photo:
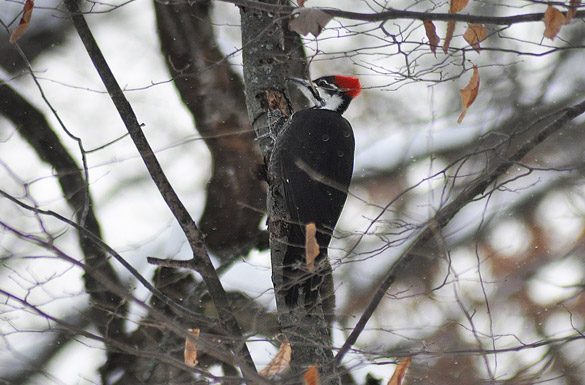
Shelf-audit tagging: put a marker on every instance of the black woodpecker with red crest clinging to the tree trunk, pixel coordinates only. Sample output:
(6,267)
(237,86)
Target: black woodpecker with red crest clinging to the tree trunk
(314,154)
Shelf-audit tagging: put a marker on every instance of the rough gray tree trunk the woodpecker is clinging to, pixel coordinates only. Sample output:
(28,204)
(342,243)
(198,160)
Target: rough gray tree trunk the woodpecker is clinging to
(267,63)
